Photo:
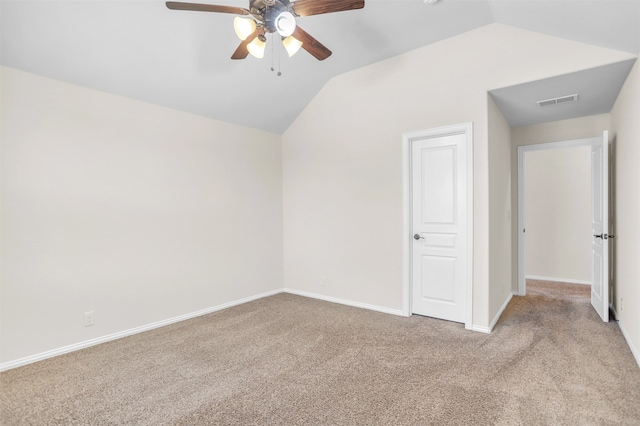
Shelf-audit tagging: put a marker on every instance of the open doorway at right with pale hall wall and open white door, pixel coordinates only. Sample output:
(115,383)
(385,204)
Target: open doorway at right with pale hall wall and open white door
(564,238)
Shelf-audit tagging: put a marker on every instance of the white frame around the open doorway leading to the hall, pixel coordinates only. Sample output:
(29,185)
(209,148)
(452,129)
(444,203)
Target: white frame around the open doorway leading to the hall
(522,150)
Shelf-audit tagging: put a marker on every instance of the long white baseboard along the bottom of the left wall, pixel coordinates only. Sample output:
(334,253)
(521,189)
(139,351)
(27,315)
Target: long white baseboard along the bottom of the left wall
(88,343)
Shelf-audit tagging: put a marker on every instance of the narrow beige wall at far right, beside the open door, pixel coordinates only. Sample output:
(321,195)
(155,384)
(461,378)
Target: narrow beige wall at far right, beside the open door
(626,129)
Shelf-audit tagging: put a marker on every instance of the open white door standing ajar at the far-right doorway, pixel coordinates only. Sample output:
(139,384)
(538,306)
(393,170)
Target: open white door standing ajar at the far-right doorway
(600,226)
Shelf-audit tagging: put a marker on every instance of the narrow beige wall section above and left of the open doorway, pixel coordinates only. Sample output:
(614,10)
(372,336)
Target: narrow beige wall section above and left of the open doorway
(557,131)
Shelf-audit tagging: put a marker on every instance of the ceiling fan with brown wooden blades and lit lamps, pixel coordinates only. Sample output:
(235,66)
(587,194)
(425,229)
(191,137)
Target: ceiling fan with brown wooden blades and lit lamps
(271,16)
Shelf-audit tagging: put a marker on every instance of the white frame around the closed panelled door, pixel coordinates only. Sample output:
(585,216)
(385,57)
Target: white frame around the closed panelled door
(407,239)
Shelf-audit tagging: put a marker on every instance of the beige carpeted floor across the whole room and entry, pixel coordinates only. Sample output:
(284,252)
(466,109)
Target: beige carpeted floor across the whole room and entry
(289,360)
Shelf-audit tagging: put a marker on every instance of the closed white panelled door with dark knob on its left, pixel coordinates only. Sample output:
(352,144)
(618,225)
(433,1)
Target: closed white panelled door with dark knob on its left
(439,216)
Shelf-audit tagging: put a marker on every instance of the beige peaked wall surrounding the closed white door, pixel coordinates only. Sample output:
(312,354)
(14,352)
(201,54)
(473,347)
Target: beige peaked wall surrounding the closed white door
(342,157)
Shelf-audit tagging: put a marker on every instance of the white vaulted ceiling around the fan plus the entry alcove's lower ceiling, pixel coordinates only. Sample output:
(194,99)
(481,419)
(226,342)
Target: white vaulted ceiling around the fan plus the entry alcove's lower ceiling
(181,59)
